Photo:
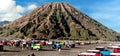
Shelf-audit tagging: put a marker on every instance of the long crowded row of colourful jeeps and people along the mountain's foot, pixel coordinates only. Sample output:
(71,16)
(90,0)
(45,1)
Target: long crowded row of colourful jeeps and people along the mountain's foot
(37,44)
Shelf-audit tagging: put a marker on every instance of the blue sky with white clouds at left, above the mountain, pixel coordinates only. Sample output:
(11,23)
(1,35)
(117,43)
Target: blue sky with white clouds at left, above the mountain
(107,12)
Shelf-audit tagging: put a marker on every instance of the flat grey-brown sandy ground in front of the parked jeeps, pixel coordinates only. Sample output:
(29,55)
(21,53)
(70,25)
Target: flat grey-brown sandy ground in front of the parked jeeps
(13,51)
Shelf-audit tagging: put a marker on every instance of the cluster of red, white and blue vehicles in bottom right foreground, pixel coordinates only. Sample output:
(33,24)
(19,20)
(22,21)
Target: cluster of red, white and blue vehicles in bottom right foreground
(102,51)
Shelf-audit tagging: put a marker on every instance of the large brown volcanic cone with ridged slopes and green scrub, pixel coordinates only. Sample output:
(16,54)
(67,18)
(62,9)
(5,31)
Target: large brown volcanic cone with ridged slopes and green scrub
(58,20)
